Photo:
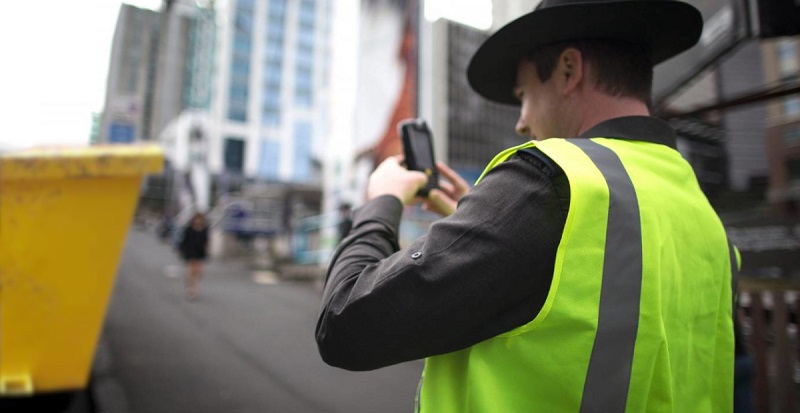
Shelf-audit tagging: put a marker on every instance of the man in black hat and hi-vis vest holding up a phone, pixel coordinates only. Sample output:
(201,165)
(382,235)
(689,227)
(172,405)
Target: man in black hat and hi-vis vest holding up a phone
(585,271)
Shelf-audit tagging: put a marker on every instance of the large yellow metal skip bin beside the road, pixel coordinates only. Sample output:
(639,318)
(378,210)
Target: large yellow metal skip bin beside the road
(64,215)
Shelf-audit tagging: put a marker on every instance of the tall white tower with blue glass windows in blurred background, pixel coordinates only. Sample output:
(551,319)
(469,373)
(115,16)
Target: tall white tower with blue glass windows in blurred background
(270,103)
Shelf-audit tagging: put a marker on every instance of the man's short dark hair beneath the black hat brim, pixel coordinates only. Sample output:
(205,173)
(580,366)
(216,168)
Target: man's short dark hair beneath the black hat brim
(621,69)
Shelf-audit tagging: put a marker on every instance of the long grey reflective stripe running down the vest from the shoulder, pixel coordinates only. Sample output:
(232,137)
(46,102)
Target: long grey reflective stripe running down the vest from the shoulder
(609,373)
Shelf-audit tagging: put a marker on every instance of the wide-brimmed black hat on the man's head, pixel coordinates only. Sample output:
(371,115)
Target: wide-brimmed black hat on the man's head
(666,27)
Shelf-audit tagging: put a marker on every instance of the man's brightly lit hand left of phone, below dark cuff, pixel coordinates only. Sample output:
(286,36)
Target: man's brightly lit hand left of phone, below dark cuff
(391,178)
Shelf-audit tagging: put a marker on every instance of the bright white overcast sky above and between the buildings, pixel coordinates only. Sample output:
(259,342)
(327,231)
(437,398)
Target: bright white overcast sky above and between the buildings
(55,63)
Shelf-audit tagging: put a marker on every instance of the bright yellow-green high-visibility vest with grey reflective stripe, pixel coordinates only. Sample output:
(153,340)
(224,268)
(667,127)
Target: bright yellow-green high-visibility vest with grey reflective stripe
(638,317)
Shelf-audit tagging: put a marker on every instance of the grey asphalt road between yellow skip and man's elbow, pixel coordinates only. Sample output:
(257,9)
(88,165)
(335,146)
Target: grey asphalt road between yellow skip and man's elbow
(244,345)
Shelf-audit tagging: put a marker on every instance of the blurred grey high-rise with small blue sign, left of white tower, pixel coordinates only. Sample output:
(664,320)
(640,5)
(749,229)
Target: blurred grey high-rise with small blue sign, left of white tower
(161,65)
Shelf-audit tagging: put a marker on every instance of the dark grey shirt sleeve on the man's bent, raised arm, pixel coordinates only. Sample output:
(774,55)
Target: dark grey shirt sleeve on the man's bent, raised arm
(482,271)
